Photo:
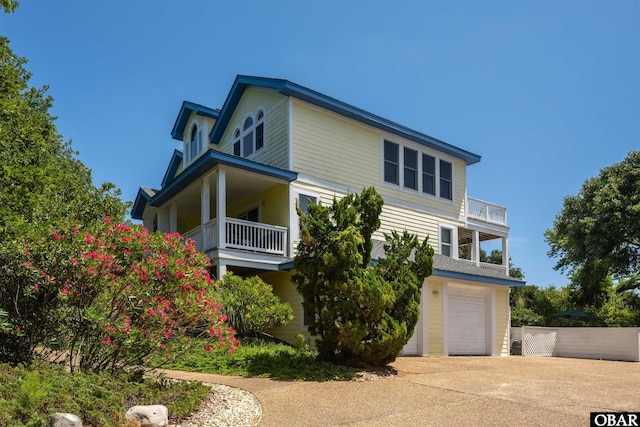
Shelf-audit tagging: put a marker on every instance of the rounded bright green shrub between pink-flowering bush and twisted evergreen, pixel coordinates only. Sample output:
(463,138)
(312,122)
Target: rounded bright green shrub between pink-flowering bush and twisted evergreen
(250,305)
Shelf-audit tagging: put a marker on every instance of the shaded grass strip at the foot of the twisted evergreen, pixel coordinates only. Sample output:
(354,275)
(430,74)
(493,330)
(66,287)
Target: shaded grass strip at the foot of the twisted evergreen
(265,360)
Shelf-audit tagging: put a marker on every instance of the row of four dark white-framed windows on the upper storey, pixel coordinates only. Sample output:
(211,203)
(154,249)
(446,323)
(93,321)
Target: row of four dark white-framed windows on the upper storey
(411,168)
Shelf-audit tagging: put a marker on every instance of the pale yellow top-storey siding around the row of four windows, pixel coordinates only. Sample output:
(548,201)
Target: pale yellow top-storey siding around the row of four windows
(339,150)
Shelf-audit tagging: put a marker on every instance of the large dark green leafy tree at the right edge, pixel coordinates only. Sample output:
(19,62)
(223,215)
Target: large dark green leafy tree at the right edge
(597,232)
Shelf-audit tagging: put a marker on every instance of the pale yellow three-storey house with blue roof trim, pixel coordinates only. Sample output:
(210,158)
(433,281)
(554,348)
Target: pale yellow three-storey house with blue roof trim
(234,186)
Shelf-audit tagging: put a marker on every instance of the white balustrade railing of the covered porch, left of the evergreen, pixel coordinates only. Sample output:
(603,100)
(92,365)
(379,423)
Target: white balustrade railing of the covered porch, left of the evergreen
(242,235)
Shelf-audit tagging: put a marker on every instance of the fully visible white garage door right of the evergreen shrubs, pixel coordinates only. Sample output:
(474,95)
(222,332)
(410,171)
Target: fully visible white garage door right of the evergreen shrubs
(466,321)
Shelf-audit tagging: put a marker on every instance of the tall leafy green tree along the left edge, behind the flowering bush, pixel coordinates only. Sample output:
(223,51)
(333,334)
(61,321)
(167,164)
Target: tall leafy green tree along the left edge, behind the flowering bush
(41,185)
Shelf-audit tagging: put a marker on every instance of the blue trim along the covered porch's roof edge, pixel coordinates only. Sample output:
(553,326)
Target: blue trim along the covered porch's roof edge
(207,161)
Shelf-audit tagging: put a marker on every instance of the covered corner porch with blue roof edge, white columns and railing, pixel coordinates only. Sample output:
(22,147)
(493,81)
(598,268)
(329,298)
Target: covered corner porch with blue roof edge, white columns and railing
(236,211)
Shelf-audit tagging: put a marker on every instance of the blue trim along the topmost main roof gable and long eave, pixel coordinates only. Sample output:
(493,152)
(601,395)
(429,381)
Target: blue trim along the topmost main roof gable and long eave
(288,88)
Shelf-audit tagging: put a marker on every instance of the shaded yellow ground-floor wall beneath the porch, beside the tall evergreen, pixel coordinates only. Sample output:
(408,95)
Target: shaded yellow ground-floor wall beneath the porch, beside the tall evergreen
(286,291)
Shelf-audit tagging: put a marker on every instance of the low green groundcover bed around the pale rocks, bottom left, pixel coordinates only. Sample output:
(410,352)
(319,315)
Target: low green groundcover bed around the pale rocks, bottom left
(29,396)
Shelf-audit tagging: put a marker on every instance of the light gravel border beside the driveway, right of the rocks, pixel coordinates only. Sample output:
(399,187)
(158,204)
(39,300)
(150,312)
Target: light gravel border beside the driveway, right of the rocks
(225,406)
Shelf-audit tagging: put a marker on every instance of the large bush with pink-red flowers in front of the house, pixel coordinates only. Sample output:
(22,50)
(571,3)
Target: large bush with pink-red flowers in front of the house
(114,296)
